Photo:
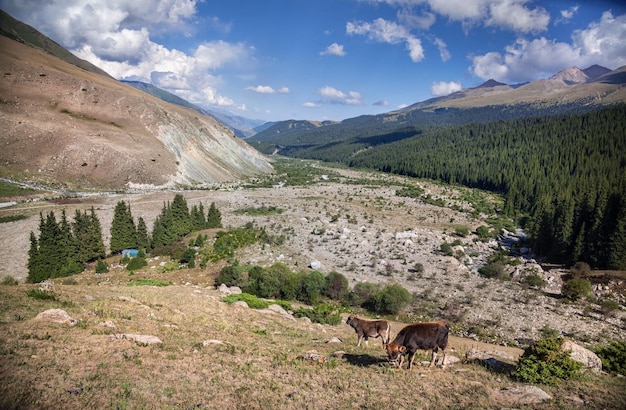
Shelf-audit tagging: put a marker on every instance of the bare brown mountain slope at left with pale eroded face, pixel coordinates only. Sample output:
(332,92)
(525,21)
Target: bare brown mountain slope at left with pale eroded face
(65,123)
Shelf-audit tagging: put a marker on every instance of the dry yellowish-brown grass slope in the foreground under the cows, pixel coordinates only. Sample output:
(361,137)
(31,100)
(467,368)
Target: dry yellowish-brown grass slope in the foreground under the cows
(47,365)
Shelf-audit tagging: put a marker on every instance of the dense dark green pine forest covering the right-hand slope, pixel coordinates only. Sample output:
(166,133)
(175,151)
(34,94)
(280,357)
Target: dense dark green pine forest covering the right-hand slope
(563,176)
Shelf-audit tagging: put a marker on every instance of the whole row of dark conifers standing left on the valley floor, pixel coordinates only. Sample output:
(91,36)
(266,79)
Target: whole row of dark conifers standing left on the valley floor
(63,248)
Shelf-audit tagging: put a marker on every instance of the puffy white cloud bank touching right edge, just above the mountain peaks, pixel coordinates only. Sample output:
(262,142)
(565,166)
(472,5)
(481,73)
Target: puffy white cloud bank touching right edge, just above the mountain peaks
(600,43)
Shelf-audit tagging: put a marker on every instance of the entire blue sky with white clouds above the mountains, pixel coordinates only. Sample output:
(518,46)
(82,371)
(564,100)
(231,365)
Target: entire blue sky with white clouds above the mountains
(329,59)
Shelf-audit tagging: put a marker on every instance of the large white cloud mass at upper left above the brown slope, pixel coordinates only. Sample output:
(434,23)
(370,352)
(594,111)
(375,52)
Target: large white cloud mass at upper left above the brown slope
(117,37)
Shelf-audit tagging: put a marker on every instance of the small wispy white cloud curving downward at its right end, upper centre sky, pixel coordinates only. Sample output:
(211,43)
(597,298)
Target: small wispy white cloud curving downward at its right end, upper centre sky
(384,31)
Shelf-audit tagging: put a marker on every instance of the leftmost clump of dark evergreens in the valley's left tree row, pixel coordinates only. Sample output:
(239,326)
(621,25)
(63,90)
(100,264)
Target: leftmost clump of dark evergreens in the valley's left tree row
(63,248)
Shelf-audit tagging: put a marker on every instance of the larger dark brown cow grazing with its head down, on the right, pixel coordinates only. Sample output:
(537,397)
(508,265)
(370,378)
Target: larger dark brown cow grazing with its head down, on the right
(425,336)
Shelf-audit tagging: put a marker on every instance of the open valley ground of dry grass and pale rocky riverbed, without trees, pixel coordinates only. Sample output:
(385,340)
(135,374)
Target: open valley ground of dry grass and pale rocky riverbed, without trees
(215,355)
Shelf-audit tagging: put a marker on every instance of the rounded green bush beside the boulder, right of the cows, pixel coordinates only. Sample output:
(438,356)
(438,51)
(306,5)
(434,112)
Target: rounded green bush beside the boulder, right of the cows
(544,362)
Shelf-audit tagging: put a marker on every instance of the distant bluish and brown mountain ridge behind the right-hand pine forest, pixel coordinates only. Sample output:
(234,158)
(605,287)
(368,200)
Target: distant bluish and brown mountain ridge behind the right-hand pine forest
(570,91)
